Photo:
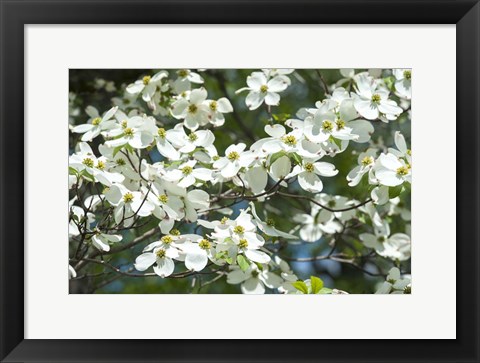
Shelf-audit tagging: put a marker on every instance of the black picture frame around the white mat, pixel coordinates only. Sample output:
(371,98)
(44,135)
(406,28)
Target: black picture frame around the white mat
(16,14)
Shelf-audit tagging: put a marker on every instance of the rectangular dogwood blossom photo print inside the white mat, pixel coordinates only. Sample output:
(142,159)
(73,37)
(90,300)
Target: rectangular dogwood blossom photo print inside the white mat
(240,181)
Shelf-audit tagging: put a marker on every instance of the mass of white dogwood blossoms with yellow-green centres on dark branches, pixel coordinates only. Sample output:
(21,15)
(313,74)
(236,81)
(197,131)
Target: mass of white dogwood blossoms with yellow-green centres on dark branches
(152,156)
